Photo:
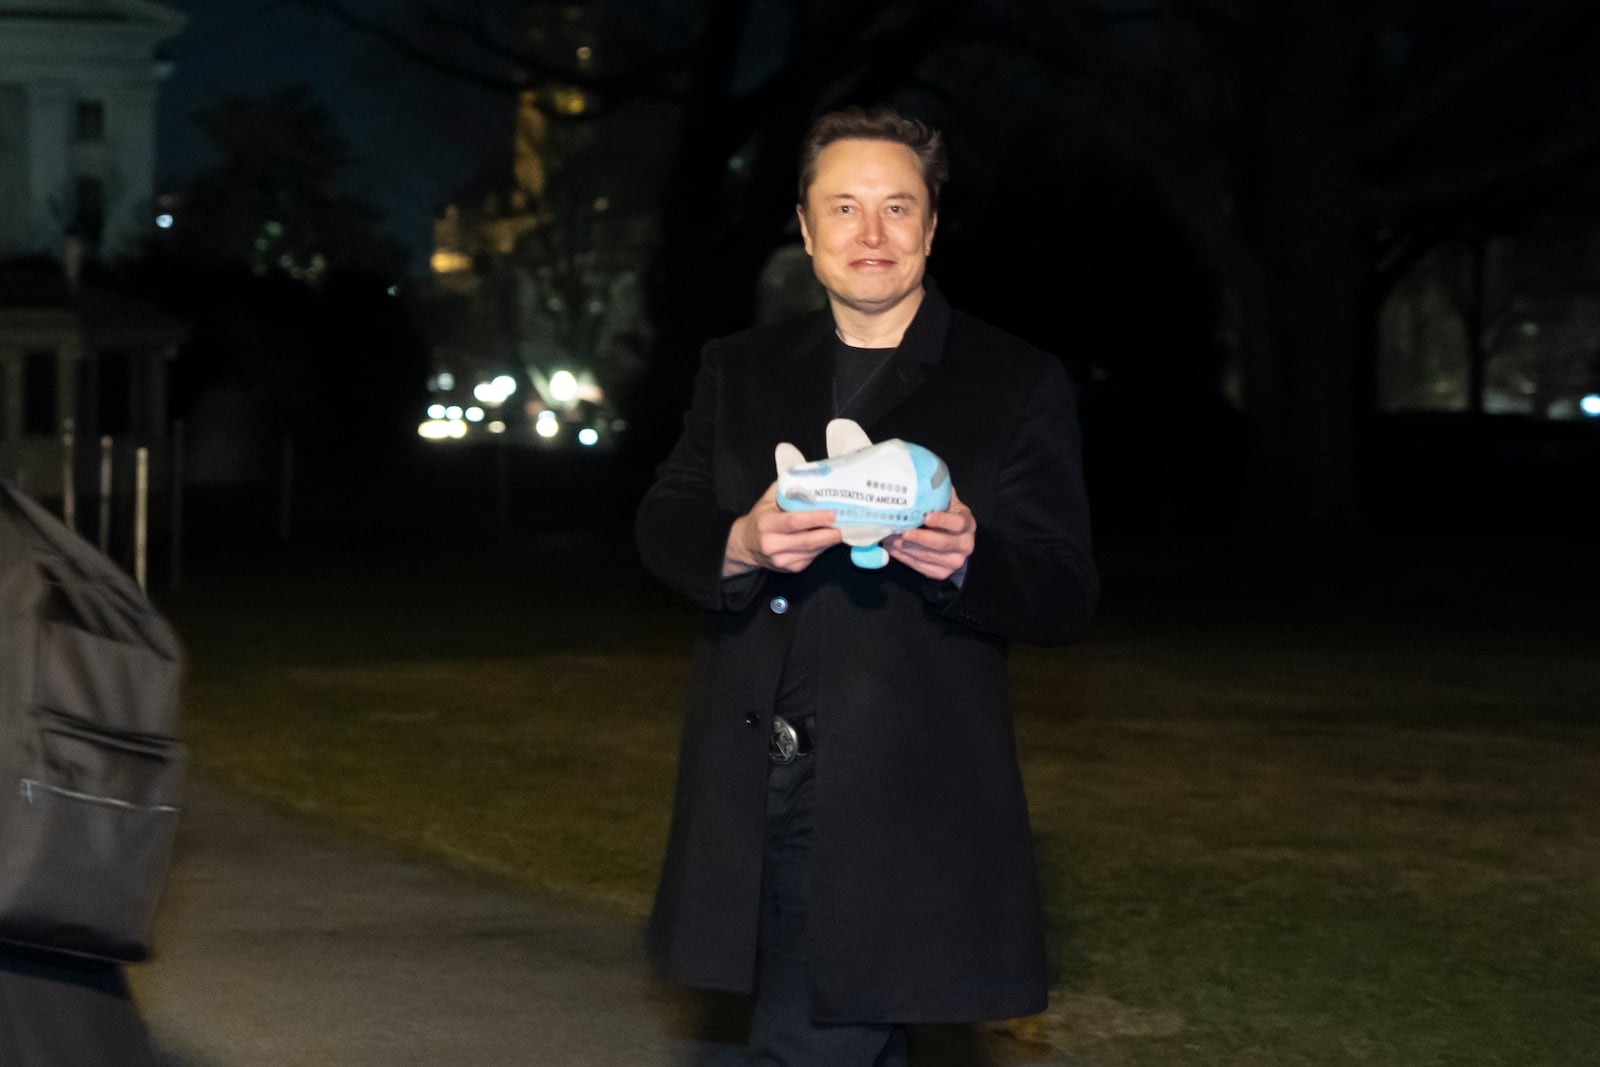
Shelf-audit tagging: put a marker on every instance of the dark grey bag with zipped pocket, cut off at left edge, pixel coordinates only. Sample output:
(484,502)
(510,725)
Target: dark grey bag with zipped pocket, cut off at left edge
(90,773)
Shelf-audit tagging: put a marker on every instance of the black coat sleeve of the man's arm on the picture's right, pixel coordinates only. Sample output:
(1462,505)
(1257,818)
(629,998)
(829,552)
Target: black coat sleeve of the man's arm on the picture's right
(1031,577)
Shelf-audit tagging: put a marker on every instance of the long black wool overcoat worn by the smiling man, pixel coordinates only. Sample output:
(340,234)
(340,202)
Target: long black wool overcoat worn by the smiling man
(924,895)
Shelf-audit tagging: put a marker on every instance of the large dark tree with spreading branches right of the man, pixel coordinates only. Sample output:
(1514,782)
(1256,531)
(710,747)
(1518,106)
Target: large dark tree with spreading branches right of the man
(1314,150)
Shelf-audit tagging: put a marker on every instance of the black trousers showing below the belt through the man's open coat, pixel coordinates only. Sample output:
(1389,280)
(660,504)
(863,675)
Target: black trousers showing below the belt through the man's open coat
(782,1031)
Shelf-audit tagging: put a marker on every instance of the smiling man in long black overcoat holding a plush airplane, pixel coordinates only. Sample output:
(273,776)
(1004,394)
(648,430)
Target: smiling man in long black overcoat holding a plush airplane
(884,876)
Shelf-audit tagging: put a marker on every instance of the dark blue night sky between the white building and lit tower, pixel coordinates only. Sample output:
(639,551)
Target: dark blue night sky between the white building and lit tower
(415,138)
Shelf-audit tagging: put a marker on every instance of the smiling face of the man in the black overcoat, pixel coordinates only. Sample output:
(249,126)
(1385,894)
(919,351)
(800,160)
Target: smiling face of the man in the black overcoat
(868,225)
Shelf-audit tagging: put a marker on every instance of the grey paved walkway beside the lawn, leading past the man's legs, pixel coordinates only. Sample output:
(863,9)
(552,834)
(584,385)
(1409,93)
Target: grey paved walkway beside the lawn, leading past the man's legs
(282,945)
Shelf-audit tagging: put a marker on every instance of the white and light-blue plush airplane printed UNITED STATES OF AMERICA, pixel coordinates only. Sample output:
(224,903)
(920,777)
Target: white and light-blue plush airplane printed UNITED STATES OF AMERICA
(873,490)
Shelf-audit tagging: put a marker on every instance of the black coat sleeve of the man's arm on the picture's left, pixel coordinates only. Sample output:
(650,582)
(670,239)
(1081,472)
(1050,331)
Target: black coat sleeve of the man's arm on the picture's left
(681,527)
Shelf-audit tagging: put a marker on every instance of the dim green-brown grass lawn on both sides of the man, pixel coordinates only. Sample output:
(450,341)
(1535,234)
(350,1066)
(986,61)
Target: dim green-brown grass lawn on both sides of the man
(1361,831)
